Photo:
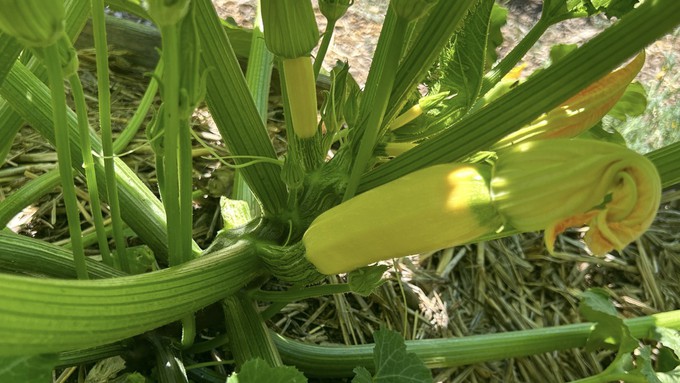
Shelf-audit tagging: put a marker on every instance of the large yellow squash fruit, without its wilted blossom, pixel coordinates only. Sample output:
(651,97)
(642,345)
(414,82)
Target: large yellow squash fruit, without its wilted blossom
(430,209)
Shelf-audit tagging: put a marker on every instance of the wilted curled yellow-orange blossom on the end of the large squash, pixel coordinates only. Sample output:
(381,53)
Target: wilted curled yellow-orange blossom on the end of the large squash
(561,183)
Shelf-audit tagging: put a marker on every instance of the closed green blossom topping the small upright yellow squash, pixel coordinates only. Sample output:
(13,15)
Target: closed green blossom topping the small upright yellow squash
(290,29)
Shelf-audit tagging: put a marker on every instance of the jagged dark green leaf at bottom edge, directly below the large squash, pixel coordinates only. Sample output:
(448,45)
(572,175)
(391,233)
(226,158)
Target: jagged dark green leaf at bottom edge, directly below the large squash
(393,364)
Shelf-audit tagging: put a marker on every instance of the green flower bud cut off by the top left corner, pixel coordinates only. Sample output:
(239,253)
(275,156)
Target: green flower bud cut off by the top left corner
(35,23)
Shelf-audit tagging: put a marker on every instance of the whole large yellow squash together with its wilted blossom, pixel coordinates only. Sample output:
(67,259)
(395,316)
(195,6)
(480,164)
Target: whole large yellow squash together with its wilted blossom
(551,185)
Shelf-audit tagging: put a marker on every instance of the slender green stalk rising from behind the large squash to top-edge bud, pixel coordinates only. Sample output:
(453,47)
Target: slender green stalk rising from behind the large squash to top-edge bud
(383,71)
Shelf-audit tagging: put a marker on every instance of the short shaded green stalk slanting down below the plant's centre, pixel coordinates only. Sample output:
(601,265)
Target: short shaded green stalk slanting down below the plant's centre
(248,334)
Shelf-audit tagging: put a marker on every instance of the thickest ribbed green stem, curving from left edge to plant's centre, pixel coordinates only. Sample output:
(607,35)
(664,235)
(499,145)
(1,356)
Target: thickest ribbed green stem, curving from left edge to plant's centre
(53,315)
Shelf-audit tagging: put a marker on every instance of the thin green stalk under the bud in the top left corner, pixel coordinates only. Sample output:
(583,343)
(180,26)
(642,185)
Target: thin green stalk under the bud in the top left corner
(61,133)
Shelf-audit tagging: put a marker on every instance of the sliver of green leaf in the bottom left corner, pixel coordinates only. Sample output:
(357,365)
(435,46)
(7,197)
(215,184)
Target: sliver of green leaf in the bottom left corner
(27,369)
